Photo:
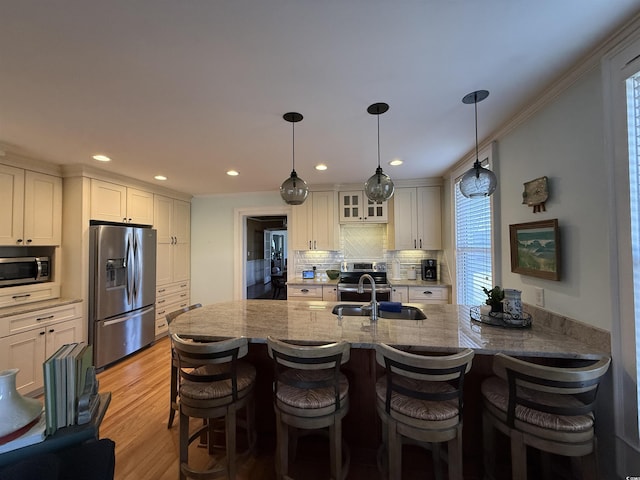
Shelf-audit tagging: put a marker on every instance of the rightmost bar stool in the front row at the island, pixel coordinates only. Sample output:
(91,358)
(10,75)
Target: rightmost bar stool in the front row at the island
(548,408)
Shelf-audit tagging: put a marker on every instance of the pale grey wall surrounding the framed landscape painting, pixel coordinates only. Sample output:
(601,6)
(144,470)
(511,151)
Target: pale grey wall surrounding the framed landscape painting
(563,141)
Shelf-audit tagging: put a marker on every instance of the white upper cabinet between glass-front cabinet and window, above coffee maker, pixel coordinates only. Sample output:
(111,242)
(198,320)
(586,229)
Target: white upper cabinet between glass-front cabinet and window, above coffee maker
(416,219)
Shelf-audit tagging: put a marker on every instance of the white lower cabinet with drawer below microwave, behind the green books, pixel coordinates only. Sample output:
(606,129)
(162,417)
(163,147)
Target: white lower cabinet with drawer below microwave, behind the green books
(27,340)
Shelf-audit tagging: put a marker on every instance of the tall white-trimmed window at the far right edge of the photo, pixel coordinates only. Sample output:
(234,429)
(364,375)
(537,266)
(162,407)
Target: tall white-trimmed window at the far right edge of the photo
(621,79)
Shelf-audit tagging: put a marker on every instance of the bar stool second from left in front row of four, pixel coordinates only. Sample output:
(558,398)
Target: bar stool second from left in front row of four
(310,393)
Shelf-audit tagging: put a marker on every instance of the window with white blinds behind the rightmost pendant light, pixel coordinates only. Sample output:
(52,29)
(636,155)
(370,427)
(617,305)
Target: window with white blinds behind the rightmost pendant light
(473,227)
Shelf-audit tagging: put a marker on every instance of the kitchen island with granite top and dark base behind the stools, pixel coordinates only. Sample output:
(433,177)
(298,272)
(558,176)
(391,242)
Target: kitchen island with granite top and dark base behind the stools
(446,328)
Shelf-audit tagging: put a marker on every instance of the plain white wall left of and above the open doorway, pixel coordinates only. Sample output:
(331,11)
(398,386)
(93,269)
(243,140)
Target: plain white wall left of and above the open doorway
(212,242)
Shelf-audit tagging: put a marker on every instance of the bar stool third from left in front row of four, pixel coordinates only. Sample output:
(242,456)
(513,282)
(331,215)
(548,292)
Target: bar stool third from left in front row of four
(419,401)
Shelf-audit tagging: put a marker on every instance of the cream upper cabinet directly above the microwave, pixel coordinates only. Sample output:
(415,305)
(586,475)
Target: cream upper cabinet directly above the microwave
(30,207)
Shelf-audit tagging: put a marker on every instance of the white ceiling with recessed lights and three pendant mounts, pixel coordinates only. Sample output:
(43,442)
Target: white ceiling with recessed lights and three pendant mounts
(192,88)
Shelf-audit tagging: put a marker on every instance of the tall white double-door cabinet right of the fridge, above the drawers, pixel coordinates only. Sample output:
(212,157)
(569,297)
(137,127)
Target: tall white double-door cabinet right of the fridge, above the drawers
(172,220)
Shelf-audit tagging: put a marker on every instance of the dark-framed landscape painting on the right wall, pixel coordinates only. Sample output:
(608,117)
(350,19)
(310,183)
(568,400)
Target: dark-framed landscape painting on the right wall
(535,249)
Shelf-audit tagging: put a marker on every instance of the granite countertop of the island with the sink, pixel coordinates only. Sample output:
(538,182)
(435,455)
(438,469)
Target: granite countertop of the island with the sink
(447,327)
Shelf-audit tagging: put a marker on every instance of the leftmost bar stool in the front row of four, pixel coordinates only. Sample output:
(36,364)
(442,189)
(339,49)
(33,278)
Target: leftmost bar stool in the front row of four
(214,384)
